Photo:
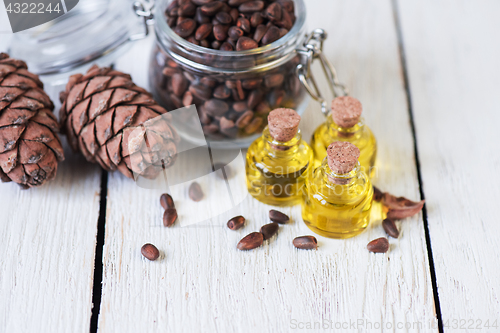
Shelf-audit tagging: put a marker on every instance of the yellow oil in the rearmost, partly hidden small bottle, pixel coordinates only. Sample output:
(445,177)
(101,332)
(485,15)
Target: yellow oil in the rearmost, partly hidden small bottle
(359,135)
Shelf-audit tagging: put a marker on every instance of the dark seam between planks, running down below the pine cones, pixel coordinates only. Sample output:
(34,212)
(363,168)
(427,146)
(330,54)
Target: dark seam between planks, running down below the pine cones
(98,262)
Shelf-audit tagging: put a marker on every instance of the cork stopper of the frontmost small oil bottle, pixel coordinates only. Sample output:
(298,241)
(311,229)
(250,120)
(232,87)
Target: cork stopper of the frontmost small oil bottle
(342,157)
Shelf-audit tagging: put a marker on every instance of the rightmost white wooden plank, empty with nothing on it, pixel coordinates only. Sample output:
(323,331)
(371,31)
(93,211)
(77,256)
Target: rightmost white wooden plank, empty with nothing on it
(452,55)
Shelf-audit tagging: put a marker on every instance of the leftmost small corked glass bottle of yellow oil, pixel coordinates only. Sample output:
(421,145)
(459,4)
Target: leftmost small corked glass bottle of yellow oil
(278,163)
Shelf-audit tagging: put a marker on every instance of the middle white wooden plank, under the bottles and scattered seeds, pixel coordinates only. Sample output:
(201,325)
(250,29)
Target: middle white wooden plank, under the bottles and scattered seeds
(203,283)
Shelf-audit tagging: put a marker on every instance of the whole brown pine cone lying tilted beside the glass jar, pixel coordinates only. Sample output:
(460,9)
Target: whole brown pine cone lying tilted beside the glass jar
(117,124)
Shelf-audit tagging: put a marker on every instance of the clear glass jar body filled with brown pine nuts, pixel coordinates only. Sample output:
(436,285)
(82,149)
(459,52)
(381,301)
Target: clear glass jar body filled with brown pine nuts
(233,91)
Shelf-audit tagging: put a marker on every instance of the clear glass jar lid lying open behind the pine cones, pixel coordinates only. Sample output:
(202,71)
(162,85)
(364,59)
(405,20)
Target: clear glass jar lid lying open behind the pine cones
(93,32)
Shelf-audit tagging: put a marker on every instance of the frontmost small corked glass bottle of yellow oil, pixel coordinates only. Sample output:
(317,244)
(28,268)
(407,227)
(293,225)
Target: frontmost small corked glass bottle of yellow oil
(338,195)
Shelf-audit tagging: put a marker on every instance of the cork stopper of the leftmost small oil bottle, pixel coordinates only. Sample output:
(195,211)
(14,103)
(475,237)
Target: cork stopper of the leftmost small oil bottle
(283,124)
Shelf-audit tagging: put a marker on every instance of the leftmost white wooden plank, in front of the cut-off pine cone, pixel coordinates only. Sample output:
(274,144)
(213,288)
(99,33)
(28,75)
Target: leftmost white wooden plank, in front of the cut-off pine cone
(48,239)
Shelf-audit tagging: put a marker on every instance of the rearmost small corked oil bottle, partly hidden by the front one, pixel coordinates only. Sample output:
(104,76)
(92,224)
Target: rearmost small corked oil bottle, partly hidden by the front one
(344,123)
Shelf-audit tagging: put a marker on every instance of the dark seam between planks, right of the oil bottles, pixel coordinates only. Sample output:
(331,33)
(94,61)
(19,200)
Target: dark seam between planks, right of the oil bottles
(406,82)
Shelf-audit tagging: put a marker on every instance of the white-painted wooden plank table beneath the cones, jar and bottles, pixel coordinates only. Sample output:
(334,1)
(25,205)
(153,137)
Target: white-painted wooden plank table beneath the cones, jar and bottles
(427,73)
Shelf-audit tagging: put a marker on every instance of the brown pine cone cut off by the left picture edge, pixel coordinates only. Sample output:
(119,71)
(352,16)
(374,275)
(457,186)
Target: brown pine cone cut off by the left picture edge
(29,145)
